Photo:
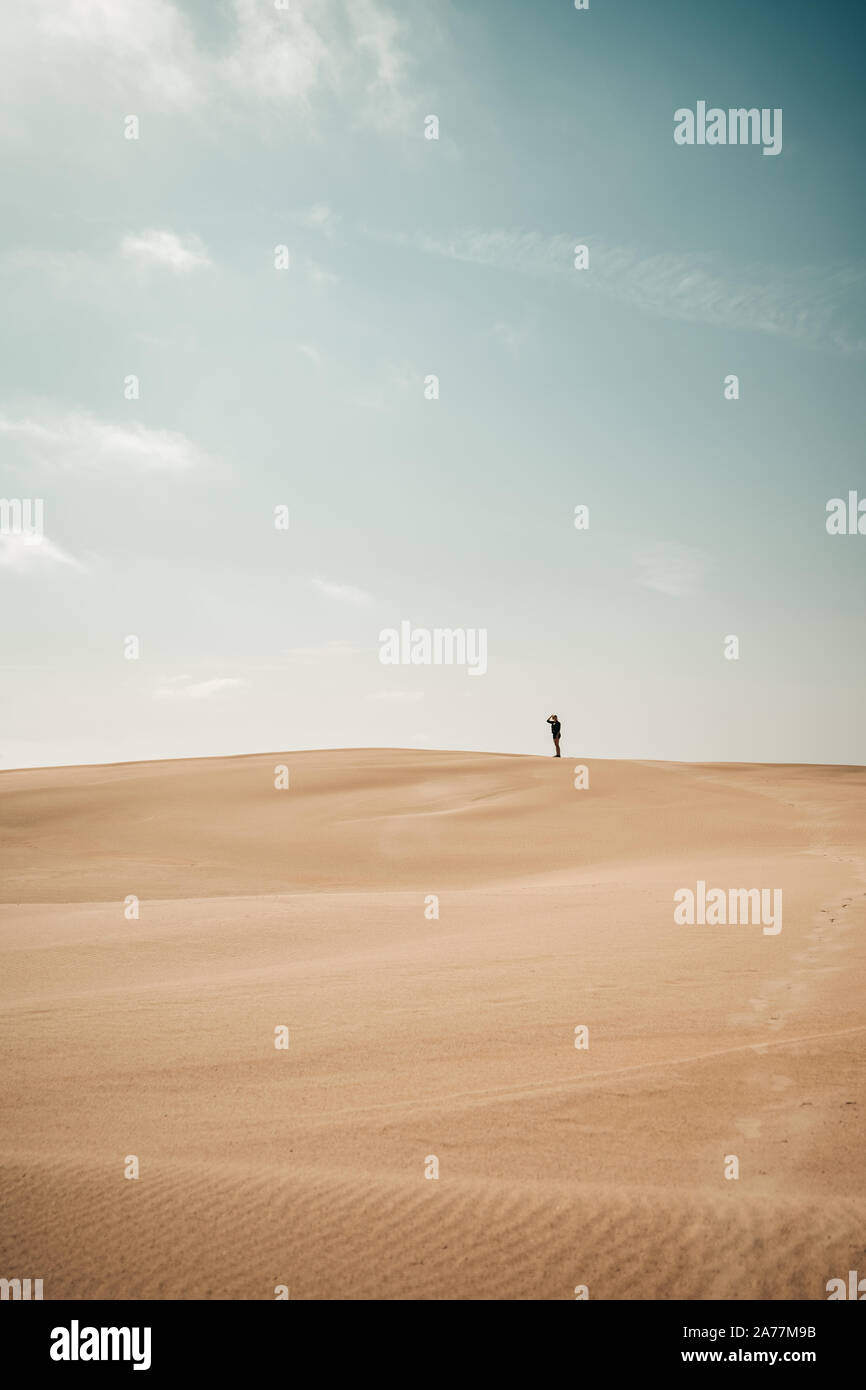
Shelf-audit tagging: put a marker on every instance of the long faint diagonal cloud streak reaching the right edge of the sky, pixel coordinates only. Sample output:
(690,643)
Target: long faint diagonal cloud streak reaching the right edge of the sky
(807,304)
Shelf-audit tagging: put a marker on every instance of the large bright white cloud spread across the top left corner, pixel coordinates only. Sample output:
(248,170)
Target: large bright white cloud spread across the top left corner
(255,60)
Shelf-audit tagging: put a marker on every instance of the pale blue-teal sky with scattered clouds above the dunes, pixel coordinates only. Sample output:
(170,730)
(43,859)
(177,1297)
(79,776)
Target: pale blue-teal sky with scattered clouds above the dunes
(308,387)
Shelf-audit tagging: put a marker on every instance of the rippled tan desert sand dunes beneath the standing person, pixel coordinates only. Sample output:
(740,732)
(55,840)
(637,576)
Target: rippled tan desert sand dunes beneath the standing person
(414,1038)
